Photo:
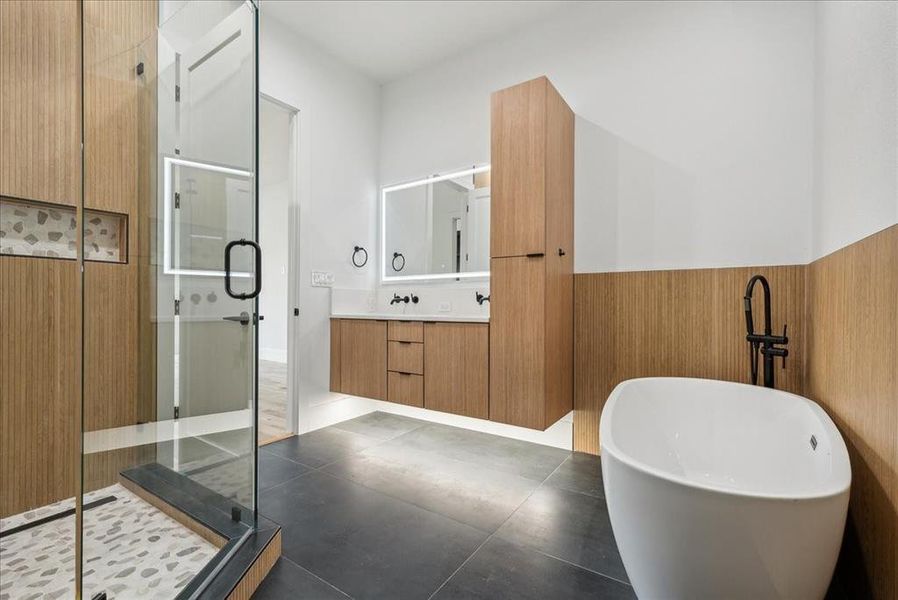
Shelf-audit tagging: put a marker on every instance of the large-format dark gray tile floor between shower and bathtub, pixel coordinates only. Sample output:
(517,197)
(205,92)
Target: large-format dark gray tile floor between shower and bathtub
(385,506)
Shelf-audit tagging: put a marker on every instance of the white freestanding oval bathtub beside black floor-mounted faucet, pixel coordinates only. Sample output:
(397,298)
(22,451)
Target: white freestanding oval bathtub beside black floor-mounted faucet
(723,490)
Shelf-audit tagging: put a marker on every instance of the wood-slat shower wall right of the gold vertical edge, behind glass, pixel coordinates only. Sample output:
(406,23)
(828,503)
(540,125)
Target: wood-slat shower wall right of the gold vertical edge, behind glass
(117,156)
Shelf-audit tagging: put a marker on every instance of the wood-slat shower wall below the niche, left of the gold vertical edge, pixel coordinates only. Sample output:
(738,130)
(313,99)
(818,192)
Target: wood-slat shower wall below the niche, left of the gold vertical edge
(39,430)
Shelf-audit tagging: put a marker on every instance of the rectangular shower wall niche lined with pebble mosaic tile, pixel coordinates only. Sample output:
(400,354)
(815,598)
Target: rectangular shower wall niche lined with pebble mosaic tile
(45,230)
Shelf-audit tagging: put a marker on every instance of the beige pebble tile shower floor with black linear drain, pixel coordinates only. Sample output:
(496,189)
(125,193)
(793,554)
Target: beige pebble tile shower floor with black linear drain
(131,550)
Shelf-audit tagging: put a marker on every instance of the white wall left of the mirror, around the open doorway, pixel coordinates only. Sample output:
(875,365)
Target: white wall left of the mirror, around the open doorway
(339,114)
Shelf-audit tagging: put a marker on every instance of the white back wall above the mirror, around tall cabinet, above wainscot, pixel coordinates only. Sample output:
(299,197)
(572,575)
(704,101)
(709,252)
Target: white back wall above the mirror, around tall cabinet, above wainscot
(702,126)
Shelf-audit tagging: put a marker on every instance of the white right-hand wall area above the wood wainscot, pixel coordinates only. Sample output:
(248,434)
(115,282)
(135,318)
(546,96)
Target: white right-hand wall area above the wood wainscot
(856,179)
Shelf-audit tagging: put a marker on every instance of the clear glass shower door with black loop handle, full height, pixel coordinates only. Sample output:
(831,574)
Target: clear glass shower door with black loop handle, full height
(210,260)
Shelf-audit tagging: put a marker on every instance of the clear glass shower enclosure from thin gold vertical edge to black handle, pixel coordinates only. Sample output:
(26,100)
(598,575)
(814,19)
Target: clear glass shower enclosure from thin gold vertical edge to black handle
(169,413)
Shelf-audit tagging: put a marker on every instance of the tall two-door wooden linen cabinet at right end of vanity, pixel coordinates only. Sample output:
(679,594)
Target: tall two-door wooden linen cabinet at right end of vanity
(532,255)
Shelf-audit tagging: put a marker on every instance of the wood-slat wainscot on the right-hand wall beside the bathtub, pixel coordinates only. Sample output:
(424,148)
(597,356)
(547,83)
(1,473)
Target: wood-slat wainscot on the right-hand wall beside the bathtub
(852,371)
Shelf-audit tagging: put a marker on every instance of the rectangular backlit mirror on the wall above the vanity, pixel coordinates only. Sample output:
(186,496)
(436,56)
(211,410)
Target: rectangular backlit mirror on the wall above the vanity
(437,228)
